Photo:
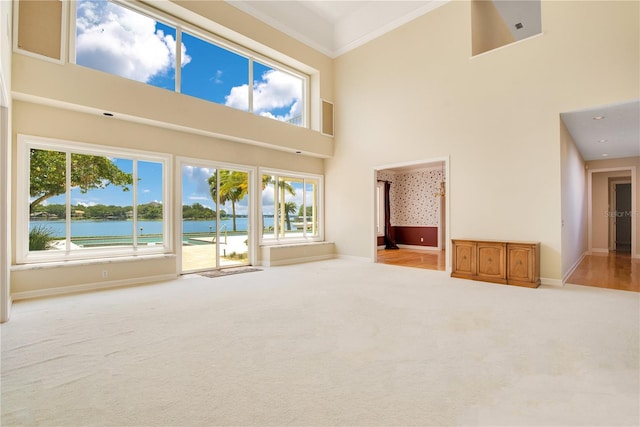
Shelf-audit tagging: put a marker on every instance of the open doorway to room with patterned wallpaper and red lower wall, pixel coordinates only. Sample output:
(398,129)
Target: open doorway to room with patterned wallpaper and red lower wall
(410,211)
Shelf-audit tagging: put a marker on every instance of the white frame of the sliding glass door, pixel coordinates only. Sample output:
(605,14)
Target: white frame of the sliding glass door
(252,207)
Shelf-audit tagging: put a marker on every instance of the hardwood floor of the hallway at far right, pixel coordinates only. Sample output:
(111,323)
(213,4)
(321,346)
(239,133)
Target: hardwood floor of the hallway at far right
(613,271)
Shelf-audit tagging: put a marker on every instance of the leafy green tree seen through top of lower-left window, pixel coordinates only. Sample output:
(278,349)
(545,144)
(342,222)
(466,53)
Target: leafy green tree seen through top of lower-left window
(48,174)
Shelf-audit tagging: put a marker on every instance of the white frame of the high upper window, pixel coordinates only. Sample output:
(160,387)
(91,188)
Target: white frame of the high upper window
(180,26)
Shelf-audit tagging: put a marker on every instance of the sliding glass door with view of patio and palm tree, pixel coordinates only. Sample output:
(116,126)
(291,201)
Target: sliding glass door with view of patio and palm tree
(215,225)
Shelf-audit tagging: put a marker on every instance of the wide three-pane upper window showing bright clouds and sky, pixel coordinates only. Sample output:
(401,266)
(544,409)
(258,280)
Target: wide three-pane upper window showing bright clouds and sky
(116,39)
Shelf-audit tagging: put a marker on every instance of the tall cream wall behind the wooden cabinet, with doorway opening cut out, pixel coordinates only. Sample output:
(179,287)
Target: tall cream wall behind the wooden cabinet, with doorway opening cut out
(408,95)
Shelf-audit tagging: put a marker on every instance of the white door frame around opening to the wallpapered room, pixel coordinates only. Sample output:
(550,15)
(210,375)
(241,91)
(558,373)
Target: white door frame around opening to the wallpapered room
(442,231)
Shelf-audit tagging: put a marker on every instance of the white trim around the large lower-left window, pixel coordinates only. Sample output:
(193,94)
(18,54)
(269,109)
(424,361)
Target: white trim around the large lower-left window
(26,143)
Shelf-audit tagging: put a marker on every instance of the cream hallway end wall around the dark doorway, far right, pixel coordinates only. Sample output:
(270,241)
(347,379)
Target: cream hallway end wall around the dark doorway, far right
(600,199)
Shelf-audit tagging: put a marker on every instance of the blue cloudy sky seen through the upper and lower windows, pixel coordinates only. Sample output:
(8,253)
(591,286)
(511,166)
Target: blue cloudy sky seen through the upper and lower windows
(119,41)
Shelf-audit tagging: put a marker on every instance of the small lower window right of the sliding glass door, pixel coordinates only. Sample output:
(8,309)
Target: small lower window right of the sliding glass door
(291,207)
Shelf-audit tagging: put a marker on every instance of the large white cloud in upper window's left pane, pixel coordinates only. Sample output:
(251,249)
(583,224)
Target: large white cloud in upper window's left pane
(117,40)
